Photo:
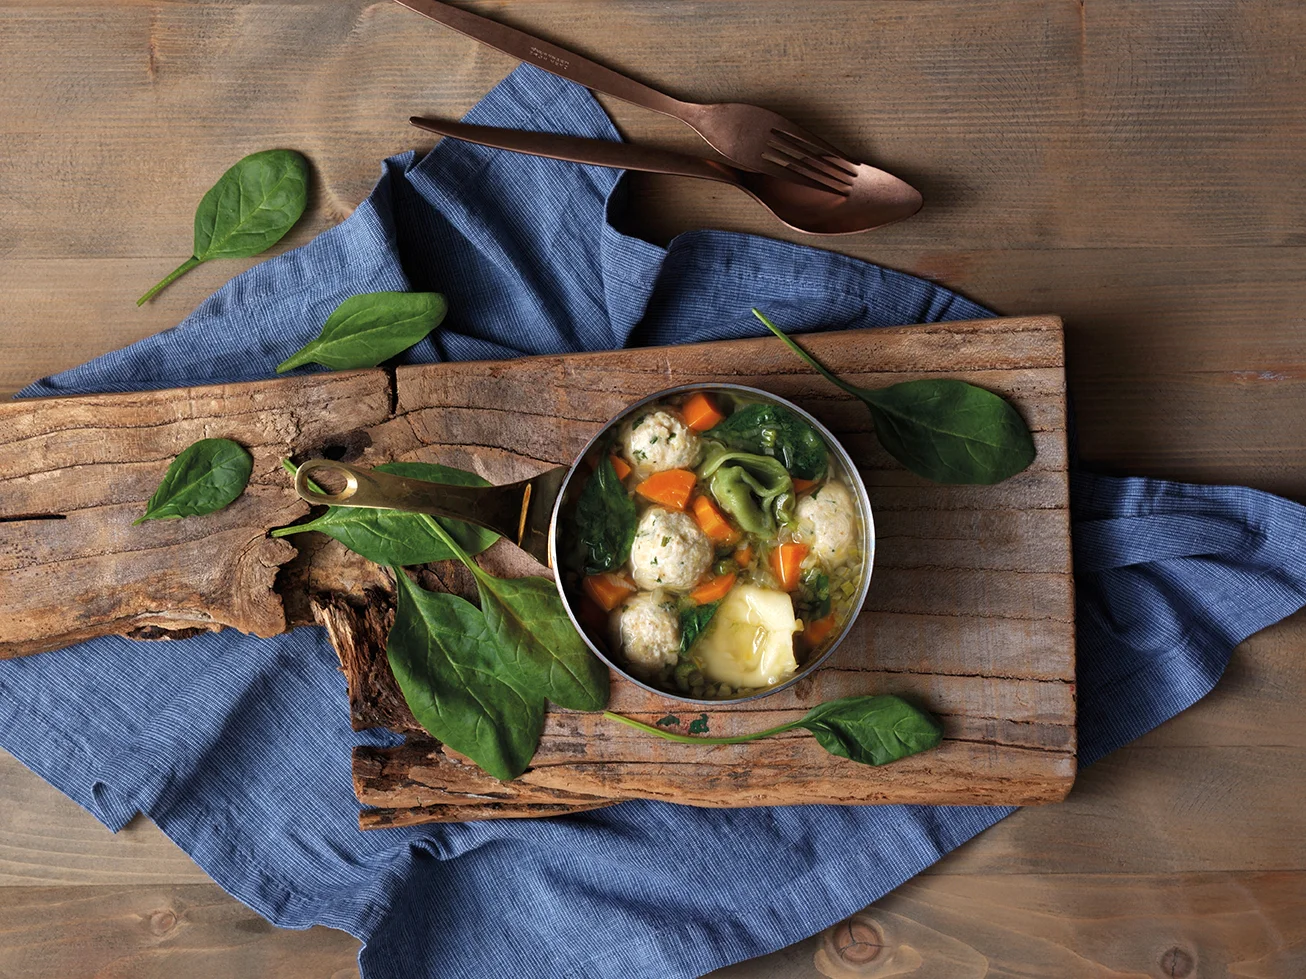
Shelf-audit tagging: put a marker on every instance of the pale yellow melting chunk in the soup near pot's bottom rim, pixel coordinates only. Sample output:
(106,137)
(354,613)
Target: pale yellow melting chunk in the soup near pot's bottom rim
(750,642)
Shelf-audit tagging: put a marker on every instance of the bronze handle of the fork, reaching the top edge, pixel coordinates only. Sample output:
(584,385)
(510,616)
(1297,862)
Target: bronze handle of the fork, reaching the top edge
(549,57)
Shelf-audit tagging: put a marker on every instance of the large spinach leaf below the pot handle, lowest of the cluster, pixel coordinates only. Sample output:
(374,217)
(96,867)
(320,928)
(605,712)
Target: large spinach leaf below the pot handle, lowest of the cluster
(446,661)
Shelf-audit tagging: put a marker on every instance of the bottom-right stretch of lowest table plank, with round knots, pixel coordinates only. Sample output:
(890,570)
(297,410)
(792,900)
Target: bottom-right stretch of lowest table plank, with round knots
(1073,927)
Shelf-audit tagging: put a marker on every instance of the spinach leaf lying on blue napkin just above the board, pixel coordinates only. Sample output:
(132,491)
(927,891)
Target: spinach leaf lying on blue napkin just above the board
(370,328)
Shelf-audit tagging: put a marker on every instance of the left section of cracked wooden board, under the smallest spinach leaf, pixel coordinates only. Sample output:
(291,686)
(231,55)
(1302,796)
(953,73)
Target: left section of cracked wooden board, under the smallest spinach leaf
(93,461)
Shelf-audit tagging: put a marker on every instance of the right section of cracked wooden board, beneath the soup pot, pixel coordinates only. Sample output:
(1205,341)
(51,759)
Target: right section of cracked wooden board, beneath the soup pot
(980,627)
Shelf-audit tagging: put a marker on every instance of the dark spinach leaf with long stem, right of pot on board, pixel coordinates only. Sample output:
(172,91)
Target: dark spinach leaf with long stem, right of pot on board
(946,431)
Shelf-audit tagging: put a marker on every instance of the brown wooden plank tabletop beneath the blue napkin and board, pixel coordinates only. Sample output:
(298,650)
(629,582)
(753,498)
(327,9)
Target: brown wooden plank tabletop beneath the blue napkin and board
(1133,166)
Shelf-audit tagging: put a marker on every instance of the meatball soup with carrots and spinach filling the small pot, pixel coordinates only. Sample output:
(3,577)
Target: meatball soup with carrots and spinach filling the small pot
(716,546)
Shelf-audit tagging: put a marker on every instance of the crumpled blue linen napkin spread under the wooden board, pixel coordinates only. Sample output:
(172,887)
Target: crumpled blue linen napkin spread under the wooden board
(240,749)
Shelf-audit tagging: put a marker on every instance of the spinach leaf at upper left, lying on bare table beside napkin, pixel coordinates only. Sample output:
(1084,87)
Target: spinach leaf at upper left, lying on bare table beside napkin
(247,212)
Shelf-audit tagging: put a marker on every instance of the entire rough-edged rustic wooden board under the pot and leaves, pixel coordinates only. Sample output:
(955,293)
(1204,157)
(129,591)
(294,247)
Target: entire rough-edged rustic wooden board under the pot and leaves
(971,609)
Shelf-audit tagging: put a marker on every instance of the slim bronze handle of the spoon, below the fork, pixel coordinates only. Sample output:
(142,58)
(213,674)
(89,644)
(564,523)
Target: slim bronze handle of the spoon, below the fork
(601,153)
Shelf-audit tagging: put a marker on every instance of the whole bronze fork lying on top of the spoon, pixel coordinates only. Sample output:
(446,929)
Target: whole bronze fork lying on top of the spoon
(749,136)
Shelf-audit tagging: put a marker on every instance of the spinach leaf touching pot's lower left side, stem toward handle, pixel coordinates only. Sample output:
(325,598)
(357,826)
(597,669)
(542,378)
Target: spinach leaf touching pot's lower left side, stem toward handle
(543,652)
